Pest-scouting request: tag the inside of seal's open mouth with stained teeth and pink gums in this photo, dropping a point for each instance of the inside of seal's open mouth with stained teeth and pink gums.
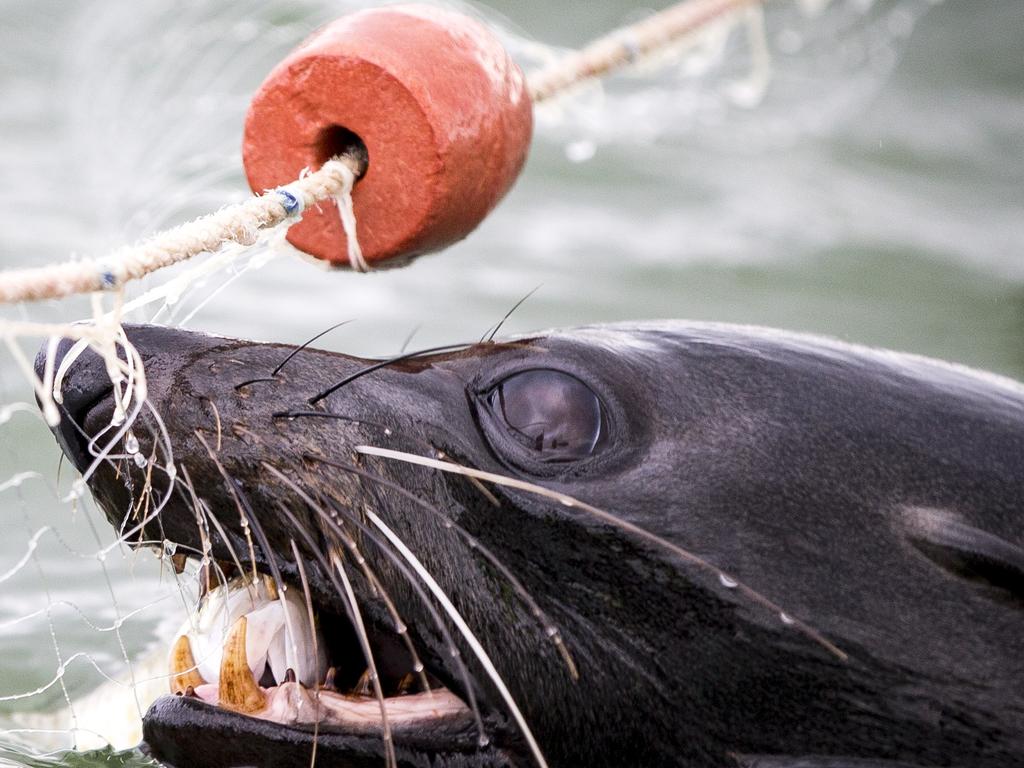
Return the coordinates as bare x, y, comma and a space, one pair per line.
252, 651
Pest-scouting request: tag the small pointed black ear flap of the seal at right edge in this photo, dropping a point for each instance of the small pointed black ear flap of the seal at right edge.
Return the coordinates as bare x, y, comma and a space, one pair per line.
966, 551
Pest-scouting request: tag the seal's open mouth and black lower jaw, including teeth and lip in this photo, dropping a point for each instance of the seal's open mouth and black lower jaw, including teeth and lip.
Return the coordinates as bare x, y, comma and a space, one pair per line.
259, 661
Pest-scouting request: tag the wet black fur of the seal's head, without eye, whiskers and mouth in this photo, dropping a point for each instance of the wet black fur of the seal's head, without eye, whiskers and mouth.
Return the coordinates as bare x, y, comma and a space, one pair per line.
802, 467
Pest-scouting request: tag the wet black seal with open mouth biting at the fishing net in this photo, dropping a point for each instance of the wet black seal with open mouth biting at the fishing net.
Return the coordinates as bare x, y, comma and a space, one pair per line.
708, 546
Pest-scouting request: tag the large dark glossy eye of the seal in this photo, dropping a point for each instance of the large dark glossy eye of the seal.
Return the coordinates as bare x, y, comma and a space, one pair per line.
553, 414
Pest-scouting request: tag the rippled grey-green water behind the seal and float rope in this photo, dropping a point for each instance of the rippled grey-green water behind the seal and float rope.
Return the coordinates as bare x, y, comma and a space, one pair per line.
874, 195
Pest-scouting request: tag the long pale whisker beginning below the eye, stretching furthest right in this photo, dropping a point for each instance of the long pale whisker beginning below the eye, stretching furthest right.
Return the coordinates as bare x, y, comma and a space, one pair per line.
608, 518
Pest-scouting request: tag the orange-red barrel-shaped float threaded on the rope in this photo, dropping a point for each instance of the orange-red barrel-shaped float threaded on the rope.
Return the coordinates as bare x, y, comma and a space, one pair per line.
441, 108
